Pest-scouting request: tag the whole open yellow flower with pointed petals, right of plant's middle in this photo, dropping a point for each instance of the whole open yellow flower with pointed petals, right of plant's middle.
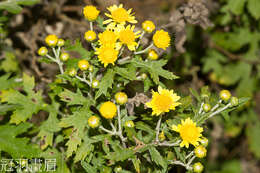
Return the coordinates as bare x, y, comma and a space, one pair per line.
163, 101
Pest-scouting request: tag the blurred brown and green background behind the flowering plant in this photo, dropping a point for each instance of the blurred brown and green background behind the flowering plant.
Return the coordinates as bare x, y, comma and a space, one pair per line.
215, 43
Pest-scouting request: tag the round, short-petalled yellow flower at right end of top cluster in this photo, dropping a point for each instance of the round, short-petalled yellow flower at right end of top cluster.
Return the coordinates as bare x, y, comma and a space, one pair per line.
161, 39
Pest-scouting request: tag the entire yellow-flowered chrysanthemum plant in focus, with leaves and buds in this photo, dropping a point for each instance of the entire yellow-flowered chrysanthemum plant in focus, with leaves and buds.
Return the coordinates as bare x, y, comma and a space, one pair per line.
91, 117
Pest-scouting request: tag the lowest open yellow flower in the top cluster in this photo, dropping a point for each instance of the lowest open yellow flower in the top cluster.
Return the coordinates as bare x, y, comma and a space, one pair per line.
107, 55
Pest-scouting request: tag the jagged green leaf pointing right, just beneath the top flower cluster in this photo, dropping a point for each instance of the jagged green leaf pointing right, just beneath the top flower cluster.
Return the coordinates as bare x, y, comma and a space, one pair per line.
155, 68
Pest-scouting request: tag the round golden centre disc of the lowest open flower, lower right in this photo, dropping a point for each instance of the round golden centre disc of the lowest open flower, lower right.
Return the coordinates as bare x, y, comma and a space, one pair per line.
189, 132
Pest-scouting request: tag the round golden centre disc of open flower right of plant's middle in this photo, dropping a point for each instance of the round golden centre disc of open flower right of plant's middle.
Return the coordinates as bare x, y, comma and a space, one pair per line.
163, 102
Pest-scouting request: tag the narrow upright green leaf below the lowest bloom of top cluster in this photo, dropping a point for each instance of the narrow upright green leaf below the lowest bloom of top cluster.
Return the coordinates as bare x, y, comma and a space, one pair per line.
105, 83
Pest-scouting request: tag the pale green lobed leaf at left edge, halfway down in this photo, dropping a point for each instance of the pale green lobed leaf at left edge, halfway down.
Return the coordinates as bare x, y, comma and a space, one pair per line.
28, 104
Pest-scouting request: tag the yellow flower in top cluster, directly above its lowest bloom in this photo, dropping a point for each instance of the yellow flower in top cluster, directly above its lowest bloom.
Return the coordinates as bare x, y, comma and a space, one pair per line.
107, 38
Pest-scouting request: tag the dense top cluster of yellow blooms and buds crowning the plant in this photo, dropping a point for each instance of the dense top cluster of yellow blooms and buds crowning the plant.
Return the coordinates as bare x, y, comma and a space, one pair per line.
120, 33
